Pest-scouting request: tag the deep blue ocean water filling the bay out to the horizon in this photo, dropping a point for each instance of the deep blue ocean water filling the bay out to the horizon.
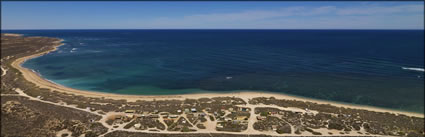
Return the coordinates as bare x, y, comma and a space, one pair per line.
352, 66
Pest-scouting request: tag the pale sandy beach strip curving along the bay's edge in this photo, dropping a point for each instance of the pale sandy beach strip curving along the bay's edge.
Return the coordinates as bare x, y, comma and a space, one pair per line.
245, 95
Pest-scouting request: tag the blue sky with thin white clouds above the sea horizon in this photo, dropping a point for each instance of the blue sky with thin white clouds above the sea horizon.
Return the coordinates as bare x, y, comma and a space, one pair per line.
212, 15
